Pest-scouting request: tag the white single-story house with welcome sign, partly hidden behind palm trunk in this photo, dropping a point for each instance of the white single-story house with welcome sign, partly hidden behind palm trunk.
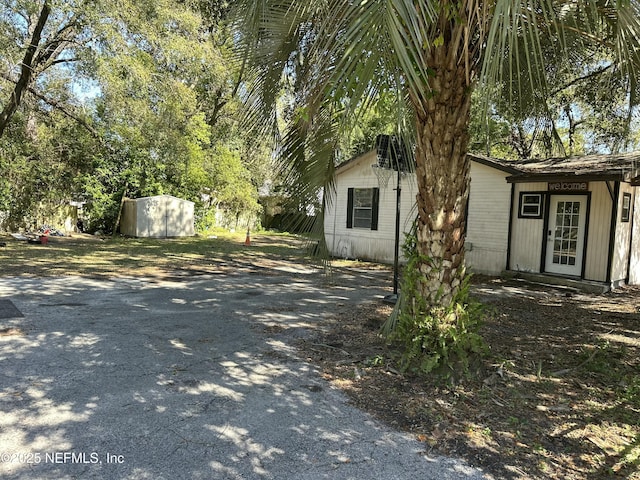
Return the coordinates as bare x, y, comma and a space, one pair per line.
575, 217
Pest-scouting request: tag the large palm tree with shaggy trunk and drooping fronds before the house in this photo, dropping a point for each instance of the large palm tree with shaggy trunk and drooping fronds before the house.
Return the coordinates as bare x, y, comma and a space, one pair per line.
533, 65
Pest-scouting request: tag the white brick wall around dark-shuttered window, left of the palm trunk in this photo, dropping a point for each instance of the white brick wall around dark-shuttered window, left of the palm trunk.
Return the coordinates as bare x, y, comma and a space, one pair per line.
362, 243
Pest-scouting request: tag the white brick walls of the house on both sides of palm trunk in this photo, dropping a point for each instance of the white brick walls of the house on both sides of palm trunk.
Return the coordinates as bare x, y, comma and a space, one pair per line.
487, 226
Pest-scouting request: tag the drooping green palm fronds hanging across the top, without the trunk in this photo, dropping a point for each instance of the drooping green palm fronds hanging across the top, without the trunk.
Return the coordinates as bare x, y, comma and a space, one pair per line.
316, 67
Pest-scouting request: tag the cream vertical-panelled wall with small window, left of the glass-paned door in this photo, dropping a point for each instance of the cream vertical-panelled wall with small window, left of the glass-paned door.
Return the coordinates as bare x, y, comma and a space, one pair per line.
526, 233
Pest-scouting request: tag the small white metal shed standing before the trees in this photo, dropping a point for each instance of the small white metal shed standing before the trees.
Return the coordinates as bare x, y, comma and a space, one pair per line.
157, 217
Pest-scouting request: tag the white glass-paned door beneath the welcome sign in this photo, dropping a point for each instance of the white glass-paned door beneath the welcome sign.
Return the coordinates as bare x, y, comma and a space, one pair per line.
565, 235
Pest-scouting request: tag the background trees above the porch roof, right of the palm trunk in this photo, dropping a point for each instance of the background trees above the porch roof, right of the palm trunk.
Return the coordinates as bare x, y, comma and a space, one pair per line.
589, 109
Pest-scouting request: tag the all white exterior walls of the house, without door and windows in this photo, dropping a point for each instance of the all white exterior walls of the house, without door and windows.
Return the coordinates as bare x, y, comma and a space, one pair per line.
487, 224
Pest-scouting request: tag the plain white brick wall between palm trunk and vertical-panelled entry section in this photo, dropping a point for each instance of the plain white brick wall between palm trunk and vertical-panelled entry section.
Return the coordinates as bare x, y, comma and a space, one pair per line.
487, 220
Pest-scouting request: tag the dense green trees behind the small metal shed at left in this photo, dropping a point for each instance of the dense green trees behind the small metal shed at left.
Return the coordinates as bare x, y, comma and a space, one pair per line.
132, 98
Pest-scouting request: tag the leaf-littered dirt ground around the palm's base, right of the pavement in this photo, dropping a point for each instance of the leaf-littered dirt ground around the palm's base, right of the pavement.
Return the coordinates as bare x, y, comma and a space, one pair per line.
559, 397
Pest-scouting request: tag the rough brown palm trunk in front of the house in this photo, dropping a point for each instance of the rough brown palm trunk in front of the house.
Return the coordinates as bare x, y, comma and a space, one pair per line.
443, 175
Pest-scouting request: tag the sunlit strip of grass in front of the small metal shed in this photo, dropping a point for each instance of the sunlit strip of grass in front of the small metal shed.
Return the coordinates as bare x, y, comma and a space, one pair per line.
114, 256
